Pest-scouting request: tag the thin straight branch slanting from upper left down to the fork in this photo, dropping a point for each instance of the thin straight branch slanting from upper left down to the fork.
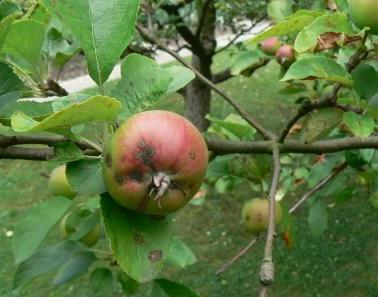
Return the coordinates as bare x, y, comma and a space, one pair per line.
264, 132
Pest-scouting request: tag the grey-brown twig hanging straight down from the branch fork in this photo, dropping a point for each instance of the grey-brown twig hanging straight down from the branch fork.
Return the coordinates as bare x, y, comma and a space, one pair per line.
267, 266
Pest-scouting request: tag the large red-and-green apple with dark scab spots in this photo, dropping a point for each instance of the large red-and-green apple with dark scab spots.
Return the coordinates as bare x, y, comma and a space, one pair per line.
155, 162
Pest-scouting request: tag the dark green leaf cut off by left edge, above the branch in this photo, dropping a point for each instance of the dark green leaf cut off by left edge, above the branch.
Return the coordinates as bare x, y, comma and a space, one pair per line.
11, 86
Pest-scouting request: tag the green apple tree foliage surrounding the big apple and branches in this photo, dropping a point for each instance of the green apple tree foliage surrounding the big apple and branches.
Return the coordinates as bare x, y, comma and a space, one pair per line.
329, 51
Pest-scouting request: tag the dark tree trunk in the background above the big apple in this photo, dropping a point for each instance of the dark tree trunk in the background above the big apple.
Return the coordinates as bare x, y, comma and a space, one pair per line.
198, 94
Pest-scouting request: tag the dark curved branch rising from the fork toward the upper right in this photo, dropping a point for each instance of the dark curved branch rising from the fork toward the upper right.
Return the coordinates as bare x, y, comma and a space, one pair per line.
329, 99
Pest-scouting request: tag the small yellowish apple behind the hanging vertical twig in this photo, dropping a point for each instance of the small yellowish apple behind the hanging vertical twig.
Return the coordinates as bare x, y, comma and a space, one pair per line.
255, 215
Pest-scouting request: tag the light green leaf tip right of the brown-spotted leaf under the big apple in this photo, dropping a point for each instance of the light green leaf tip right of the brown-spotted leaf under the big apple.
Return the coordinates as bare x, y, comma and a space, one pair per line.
180, 254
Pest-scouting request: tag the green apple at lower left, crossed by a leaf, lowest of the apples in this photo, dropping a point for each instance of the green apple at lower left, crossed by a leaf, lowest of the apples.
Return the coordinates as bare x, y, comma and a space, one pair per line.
70, 222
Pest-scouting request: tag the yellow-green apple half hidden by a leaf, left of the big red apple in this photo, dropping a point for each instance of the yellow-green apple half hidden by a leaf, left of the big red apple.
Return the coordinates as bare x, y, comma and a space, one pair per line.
58, 183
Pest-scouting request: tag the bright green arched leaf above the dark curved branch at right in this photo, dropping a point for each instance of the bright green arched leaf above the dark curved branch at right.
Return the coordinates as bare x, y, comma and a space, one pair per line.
318, 67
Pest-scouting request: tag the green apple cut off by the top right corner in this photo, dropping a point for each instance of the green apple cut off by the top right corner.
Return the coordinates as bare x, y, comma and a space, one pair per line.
364, 13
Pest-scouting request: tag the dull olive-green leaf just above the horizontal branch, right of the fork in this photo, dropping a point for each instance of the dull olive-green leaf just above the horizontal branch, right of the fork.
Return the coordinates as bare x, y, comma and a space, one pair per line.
320, 123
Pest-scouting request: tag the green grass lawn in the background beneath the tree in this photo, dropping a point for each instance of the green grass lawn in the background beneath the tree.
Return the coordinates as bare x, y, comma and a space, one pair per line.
341, 263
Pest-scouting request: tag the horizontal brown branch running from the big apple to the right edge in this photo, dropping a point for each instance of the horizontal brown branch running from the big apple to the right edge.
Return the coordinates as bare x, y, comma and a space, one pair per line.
292, 146
